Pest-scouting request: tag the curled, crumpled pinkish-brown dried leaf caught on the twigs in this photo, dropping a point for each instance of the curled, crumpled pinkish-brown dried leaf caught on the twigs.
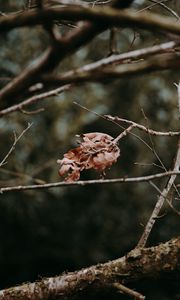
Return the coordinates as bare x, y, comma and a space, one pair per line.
96, 151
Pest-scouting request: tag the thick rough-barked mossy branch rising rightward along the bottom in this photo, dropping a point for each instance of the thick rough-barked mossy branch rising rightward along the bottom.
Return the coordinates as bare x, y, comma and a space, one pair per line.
147, 263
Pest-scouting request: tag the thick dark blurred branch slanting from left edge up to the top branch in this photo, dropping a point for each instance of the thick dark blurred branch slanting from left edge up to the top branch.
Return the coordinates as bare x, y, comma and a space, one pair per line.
56, 53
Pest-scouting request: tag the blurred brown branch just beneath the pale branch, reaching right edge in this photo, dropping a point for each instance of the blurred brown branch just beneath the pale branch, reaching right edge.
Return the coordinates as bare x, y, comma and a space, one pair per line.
157, 63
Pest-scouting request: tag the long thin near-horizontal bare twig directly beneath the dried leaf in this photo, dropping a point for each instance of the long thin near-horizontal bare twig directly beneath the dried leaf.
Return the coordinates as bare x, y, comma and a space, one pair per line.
89, 182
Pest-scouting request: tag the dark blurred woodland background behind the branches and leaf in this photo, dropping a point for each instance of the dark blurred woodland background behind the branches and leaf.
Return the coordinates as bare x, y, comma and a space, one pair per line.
44, 233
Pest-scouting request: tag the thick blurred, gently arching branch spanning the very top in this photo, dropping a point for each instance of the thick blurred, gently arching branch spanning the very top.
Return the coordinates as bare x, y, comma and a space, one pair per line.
108, 16
